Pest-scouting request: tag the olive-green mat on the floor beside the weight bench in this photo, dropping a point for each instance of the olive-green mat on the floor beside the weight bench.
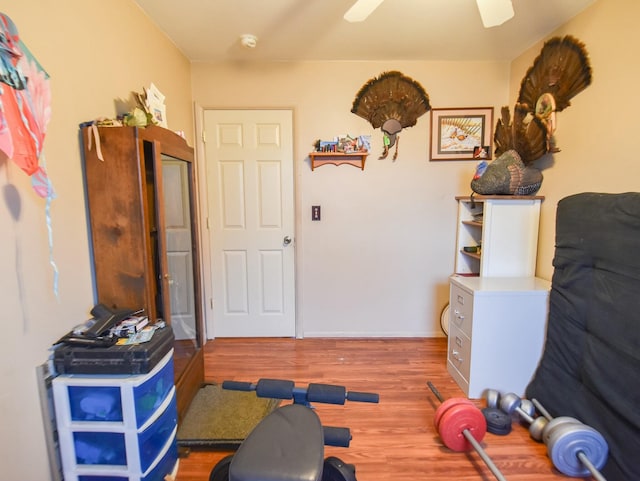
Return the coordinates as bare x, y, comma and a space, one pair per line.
221, 419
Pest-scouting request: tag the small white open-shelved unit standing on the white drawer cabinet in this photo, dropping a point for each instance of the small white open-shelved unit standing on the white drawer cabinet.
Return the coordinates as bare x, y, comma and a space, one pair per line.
506, 230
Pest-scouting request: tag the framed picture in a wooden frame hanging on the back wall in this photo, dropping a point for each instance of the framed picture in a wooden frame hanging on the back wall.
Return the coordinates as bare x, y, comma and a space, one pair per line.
461, 133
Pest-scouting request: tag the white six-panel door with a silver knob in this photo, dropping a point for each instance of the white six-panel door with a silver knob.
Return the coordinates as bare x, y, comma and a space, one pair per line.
249, 156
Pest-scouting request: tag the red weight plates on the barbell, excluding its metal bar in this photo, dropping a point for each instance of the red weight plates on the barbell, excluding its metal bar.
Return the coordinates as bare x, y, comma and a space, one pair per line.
458, 418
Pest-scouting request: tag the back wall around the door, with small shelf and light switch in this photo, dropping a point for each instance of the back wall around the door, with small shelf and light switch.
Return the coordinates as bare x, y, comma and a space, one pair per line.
378, 262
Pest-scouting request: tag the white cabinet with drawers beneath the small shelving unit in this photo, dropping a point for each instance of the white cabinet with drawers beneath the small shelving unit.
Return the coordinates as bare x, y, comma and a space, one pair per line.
496, 332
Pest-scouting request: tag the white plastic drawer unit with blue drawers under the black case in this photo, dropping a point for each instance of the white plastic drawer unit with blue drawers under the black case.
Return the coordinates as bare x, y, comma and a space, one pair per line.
117, 427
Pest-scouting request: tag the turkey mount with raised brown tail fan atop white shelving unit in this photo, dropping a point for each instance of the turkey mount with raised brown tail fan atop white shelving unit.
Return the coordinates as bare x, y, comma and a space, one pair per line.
560, 72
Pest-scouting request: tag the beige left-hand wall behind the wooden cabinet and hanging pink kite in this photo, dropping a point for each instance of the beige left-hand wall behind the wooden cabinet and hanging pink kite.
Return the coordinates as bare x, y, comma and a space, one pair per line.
96, 53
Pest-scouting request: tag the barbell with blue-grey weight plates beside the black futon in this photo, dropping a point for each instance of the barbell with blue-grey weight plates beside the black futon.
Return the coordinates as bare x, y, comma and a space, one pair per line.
574, 448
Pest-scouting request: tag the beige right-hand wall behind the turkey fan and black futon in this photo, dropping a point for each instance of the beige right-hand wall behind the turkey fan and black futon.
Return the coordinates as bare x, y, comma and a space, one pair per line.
597, 133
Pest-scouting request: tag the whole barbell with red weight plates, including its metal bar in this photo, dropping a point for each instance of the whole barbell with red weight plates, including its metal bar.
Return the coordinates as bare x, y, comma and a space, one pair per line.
462, 426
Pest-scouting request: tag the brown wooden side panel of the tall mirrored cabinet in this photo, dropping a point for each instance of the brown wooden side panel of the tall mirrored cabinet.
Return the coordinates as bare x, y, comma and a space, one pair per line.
119, 225
